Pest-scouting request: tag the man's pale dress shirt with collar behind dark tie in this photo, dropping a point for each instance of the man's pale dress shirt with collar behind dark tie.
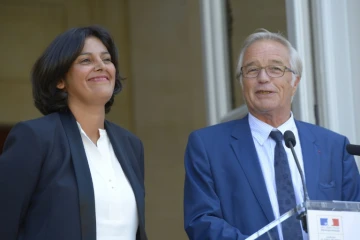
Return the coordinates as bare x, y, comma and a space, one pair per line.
265, 147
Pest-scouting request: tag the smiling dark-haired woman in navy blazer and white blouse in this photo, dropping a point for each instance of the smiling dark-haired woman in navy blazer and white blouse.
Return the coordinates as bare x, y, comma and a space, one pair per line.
71, 174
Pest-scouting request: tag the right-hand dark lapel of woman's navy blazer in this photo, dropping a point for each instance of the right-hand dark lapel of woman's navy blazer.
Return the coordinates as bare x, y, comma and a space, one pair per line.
121, 149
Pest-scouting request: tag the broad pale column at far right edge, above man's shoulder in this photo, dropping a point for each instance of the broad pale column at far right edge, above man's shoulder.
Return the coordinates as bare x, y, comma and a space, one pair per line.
334, 69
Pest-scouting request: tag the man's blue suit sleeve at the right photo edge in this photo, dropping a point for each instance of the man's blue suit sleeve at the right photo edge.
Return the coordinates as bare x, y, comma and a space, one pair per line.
351, 177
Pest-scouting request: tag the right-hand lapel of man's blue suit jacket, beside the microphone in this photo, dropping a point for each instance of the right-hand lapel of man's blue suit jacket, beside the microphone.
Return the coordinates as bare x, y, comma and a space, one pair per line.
311, 158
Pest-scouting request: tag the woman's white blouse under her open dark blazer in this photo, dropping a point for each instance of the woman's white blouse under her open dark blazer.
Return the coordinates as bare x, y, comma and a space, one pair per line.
115, 204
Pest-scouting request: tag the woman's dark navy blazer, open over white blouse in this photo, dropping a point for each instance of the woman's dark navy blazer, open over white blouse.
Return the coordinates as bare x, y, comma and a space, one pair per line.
46, 190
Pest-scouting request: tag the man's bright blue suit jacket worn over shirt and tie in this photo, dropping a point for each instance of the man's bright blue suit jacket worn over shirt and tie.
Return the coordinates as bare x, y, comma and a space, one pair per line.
225, 195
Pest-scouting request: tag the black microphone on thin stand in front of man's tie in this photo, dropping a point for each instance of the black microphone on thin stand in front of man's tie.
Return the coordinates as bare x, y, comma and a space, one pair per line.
290, 142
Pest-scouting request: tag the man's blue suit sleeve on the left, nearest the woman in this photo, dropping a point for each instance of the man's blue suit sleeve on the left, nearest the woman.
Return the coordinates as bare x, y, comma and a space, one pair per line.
202, 208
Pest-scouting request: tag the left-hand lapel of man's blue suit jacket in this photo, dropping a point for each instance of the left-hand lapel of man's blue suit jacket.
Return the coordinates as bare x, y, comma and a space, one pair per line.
246, 154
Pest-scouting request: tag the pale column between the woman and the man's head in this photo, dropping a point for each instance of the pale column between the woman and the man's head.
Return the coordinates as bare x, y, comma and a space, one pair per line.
216, 60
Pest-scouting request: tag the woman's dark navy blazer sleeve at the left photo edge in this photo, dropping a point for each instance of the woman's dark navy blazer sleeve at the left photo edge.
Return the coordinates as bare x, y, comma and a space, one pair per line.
20, 165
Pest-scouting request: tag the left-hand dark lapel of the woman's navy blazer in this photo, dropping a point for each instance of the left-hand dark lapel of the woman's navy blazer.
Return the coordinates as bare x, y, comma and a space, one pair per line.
83, 177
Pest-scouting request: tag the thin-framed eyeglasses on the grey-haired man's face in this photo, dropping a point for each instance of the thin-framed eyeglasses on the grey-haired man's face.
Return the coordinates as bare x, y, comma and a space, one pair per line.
271, 70
